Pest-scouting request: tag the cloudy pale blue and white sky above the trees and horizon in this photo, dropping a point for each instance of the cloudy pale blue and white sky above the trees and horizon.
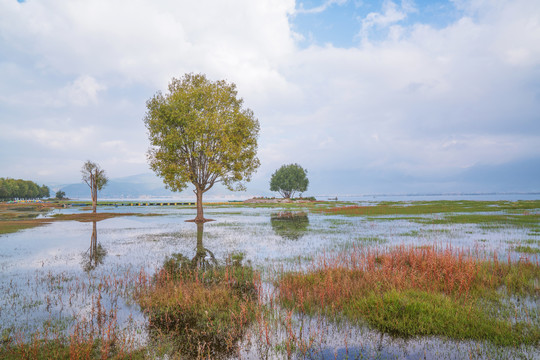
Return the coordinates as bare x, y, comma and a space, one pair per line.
370, 96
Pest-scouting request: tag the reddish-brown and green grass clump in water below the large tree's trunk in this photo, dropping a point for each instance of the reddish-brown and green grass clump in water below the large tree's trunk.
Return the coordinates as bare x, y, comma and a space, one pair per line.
199, 309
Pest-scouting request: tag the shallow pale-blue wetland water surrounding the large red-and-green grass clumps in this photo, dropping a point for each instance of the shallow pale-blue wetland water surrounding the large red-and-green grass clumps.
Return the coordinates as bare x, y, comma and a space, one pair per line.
54, 275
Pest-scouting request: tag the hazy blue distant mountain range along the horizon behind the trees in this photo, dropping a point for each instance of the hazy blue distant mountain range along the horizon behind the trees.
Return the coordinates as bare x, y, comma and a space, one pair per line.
519, 176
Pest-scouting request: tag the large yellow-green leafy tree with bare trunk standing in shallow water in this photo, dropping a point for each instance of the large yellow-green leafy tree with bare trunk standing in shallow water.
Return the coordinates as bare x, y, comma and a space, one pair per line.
201, 134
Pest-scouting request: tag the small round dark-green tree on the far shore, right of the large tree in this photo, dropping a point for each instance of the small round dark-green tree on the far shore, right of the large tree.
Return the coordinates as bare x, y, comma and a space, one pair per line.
289, 179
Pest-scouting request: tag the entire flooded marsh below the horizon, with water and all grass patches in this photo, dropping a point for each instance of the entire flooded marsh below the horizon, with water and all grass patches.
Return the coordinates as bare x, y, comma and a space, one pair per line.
399, 280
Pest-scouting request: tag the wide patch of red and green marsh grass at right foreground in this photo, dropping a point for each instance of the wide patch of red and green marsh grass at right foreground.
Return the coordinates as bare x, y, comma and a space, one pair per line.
408, 291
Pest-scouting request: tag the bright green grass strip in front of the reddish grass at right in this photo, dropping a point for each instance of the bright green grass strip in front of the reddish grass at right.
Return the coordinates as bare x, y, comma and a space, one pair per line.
415, 312
